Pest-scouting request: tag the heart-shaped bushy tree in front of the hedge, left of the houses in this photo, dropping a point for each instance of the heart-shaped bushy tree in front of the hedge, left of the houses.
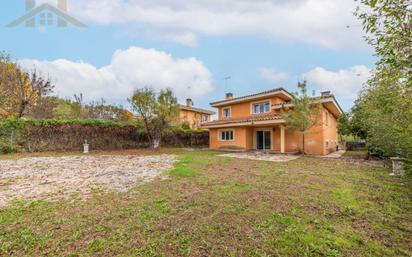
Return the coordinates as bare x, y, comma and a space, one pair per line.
157, 111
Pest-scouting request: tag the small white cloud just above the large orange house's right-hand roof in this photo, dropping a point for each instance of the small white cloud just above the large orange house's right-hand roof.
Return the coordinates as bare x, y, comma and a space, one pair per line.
345, 83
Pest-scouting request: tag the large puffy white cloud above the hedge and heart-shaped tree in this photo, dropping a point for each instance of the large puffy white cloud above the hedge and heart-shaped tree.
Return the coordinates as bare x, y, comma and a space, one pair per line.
129, 69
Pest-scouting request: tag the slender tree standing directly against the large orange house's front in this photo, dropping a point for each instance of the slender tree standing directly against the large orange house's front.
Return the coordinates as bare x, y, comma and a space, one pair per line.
304, 114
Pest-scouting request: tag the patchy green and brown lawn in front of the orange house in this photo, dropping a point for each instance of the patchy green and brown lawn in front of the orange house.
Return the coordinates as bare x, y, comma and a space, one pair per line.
219, 206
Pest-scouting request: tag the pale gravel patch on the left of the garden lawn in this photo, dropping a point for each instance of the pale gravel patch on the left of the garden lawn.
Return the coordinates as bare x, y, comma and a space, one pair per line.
59, 177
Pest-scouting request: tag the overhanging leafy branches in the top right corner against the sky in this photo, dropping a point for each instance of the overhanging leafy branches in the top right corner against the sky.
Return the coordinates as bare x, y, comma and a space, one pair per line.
389, 27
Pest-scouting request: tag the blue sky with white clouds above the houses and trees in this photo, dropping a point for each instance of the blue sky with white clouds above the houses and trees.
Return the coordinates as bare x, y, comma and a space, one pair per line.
191, 46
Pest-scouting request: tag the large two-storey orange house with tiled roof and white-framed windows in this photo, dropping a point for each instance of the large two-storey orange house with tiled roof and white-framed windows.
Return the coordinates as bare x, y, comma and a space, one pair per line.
254, 122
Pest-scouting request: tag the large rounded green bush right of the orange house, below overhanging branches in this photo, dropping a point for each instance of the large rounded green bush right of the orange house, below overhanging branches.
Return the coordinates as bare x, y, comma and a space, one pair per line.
383, 115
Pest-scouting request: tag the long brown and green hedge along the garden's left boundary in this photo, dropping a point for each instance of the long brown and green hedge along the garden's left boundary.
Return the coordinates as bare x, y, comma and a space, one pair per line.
27, 135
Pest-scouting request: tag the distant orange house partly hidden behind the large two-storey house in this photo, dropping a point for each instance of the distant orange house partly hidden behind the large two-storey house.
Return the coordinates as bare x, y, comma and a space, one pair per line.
193, 116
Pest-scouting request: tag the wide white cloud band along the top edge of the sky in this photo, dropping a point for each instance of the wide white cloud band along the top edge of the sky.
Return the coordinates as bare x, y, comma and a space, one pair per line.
318, 22
